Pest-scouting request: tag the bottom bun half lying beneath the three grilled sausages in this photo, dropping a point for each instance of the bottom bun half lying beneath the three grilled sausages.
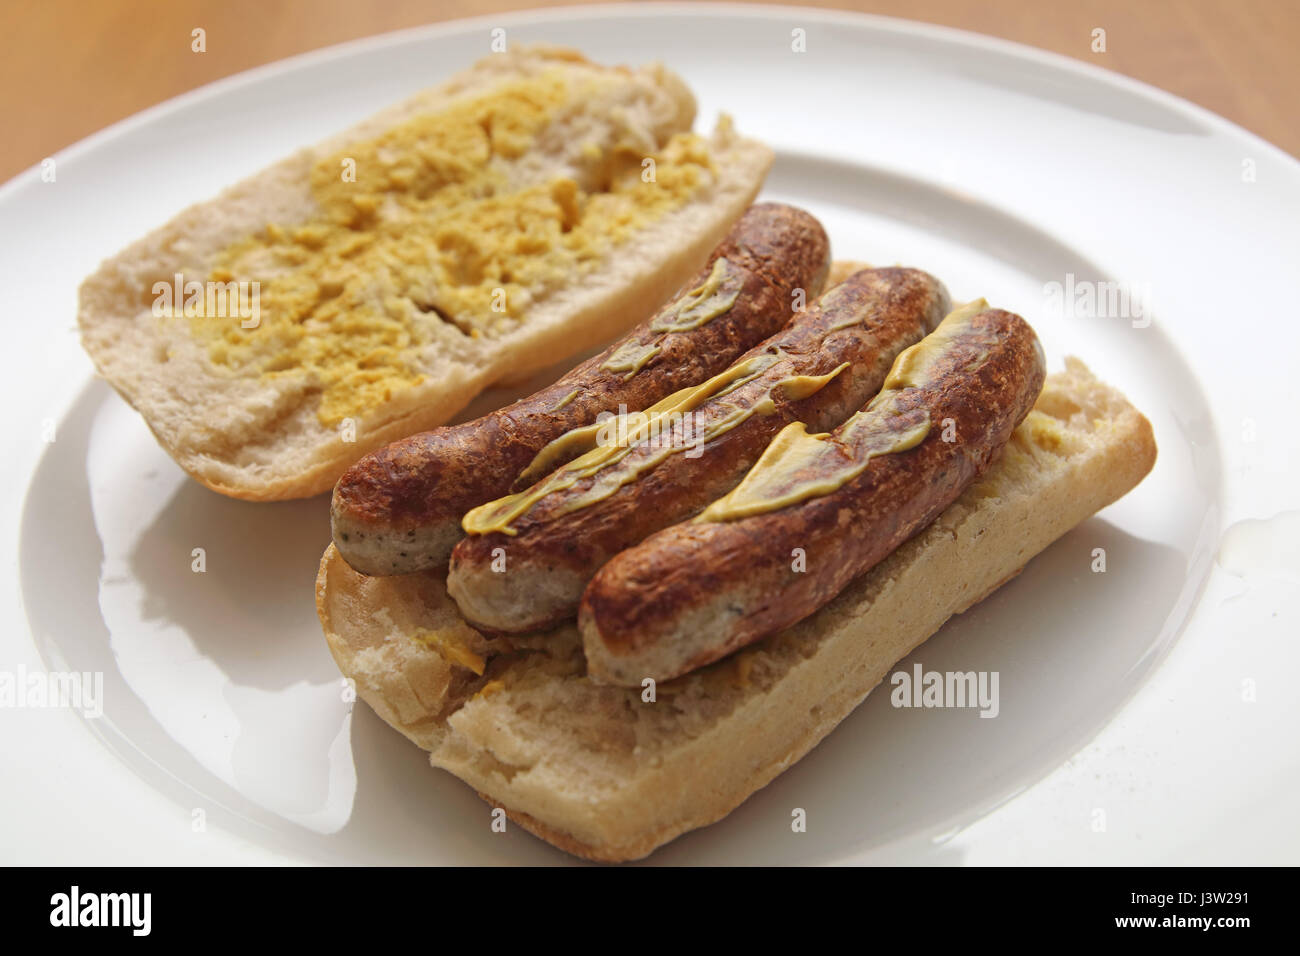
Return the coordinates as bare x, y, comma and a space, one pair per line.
599, 773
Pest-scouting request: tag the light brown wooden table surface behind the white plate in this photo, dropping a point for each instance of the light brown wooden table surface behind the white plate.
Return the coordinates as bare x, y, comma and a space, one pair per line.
72, 67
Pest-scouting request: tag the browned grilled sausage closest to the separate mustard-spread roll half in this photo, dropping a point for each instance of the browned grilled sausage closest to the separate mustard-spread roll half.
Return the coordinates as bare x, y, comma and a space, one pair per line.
400, 509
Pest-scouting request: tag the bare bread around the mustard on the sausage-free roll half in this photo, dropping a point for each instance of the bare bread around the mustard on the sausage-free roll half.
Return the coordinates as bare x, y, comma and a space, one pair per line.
267, 435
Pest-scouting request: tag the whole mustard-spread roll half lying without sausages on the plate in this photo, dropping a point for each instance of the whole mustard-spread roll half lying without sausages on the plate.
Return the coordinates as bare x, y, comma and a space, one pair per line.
371, 287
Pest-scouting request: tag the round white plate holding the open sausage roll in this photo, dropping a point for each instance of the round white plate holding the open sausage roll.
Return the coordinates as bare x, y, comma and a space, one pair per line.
1146, 712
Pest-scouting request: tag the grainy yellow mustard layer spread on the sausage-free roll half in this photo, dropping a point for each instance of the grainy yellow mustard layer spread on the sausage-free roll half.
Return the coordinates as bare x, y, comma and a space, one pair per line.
428, 235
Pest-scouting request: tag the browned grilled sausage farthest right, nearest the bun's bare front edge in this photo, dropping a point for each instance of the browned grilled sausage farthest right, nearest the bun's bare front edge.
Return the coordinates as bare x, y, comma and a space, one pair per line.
843, 501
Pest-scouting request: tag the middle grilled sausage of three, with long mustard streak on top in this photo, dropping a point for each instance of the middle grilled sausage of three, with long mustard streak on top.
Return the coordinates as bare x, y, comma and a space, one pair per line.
530, 556
